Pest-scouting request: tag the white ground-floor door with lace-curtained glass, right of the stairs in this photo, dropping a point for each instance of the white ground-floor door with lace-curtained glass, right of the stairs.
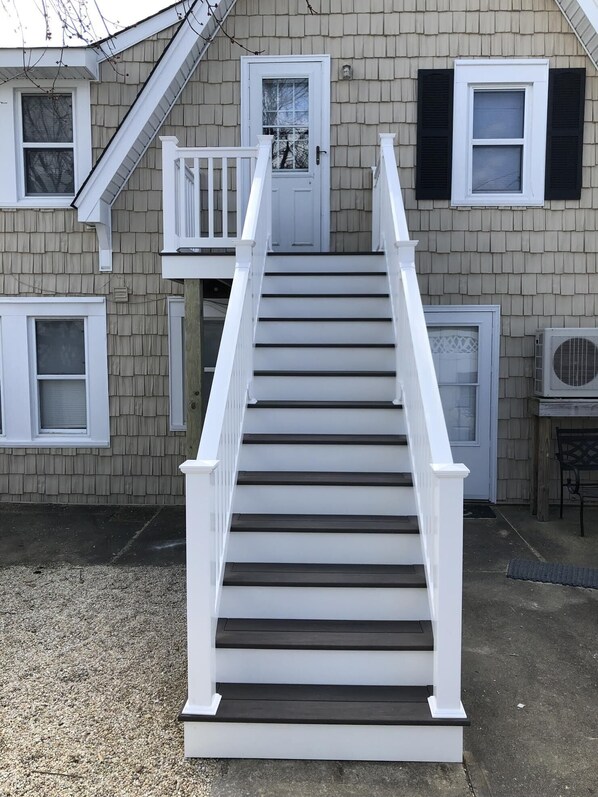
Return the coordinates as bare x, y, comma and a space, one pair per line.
464, 343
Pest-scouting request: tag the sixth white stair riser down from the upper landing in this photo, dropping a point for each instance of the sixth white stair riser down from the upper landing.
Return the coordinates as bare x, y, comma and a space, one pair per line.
325, 388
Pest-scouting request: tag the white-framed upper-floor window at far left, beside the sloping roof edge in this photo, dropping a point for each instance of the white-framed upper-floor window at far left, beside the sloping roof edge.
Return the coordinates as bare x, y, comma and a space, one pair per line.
45, 142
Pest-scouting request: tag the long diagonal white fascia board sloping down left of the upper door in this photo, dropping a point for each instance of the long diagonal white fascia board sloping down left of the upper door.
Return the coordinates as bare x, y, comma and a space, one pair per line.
145, 106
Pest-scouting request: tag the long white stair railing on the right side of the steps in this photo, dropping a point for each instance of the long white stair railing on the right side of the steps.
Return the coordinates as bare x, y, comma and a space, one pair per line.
437, 480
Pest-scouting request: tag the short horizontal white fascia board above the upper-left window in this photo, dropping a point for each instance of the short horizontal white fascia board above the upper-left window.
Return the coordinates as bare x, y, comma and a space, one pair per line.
51, 59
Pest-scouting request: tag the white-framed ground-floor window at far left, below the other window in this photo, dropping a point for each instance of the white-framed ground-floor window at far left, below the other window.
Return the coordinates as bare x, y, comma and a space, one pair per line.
53, 372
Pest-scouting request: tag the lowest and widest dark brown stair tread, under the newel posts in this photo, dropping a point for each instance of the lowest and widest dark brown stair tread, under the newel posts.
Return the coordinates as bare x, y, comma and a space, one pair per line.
323, 705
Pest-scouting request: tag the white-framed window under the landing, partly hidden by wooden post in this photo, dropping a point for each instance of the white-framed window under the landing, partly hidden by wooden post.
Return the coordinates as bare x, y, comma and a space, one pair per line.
214, 313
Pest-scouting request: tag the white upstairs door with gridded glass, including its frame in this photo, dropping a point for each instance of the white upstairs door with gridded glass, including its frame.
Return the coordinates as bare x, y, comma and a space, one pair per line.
289, 99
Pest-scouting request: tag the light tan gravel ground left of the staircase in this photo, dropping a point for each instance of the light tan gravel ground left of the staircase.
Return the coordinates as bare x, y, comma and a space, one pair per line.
92, 675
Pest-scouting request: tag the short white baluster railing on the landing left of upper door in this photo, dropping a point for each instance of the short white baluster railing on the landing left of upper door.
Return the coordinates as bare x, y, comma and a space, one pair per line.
204, 194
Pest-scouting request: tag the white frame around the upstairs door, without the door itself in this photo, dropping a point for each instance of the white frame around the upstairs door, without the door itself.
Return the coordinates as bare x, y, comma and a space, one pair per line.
324, 61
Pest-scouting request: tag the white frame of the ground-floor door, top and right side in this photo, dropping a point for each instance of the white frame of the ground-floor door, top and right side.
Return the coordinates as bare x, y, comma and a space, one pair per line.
459, 315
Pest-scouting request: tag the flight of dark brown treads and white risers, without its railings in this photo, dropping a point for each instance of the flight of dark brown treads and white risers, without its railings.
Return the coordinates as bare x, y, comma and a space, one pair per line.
324, 640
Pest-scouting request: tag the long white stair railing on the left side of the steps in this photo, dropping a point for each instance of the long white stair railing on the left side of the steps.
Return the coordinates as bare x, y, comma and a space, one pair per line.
211, 478
